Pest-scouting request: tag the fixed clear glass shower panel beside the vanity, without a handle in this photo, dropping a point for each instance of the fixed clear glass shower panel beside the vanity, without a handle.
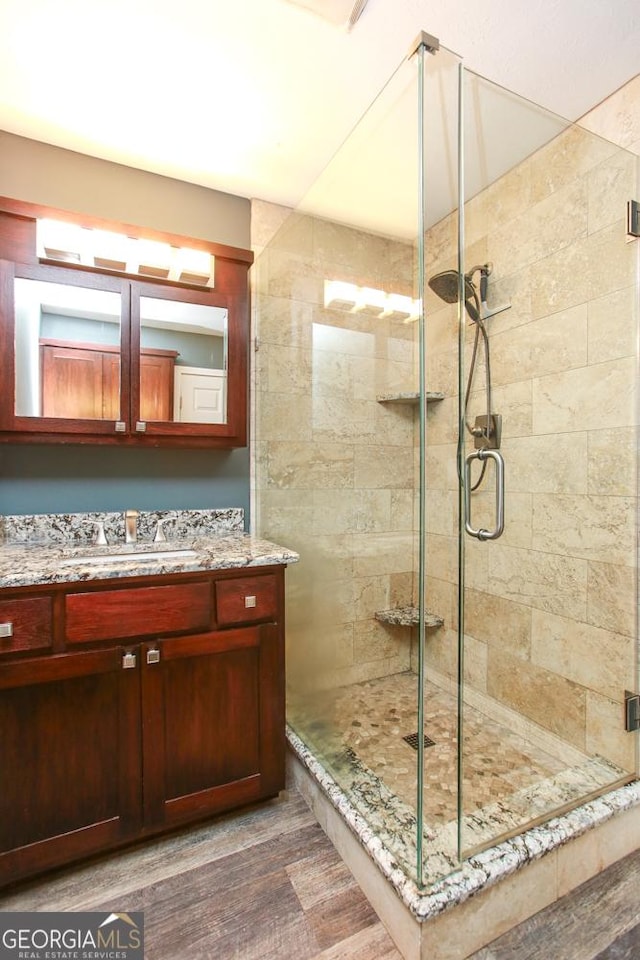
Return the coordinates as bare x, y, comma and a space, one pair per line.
337, 427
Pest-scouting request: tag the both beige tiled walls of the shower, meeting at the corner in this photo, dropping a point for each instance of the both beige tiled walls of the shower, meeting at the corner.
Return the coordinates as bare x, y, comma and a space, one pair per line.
551, 606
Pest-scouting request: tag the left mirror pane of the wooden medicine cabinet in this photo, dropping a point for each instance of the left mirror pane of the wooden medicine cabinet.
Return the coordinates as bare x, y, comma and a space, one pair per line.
67, 349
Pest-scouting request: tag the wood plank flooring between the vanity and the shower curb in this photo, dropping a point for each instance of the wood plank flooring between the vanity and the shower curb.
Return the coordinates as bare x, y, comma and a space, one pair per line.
262, 884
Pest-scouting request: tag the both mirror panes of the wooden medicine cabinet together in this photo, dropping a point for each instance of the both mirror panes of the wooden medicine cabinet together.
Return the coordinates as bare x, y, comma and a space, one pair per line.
68, 365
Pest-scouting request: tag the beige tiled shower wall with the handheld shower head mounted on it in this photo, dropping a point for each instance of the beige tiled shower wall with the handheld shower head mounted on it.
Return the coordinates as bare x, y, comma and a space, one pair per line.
550, 607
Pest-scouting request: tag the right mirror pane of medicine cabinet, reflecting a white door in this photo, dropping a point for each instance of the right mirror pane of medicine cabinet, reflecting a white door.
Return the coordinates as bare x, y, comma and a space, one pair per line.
183, 361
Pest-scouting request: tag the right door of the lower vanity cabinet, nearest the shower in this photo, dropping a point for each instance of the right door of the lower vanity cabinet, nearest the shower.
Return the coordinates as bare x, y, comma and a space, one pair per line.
213, 723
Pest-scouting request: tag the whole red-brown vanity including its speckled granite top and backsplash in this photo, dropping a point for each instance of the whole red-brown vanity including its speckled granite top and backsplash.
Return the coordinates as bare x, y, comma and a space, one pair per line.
141, 684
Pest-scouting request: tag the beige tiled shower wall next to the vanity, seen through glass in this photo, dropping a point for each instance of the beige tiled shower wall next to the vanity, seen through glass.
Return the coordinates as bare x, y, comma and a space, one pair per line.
334, 469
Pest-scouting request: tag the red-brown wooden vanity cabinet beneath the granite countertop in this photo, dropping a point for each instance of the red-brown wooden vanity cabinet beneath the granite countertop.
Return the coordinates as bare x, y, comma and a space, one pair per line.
147, 714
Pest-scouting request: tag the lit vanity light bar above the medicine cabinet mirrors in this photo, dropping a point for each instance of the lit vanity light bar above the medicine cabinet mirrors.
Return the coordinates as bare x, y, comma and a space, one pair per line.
74, 245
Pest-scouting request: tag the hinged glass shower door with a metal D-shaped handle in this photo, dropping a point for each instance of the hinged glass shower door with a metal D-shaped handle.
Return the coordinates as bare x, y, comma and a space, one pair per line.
549, 630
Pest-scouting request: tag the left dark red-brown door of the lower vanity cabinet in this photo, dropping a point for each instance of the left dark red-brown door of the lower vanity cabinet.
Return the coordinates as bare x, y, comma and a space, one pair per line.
69, 758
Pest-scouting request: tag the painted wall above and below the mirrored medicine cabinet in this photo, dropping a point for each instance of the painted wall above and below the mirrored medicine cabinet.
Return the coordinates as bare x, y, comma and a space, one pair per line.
60, 478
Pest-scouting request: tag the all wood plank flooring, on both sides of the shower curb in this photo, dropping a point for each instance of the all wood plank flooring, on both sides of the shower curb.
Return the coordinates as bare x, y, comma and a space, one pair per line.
267, 883
